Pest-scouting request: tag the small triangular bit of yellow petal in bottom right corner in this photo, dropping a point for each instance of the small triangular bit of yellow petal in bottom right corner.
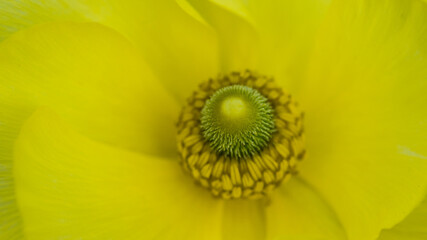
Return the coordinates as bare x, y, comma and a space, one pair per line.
413, 227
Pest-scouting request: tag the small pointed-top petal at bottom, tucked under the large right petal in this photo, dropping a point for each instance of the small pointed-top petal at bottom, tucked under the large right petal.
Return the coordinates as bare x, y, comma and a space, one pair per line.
297, 212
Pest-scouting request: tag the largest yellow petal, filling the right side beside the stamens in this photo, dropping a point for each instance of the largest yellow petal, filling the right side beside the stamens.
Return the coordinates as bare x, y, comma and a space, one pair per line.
365, 113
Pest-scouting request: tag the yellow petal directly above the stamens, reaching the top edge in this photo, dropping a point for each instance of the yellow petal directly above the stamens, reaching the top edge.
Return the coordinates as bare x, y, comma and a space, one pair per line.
273, 37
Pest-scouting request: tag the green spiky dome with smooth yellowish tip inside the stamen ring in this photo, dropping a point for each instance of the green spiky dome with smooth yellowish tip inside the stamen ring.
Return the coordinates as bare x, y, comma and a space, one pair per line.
237, 121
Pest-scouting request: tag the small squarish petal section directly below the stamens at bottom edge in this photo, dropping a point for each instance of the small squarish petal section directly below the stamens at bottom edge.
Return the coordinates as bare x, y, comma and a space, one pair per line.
243, 219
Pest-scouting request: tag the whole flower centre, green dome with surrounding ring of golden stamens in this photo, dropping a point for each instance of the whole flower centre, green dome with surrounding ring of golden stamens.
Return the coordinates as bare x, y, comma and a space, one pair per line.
240, 135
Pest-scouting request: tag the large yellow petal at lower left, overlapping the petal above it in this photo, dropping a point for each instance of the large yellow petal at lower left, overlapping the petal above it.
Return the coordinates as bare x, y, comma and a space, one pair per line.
69, 186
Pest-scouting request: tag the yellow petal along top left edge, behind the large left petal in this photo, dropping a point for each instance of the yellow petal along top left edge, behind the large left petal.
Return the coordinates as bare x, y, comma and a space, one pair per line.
181, 53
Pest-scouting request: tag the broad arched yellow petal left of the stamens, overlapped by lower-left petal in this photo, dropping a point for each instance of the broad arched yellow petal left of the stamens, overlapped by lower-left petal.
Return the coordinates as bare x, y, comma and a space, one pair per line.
94, 78
